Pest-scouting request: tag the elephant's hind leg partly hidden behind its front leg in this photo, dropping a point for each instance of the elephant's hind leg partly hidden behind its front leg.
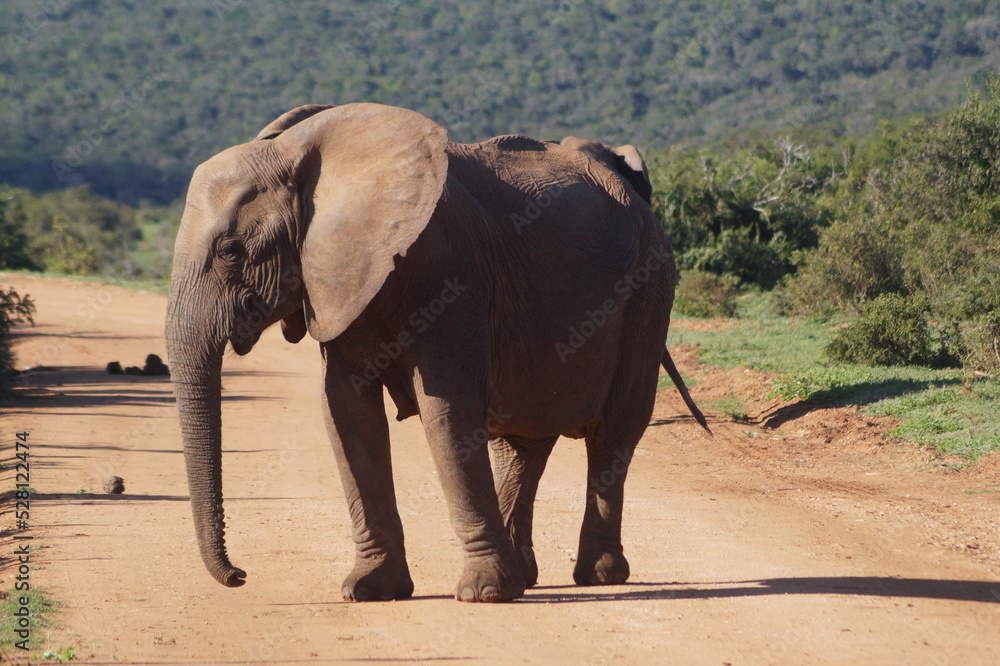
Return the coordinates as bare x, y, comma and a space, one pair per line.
519, 467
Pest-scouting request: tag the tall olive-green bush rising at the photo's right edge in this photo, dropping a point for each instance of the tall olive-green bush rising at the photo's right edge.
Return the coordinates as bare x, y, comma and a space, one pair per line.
923, 222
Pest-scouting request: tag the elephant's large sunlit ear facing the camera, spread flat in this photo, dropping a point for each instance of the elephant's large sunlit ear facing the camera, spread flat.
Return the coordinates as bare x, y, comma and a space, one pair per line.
370, 177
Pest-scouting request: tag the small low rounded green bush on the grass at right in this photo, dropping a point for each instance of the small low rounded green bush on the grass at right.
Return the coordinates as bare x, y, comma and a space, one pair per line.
892, 330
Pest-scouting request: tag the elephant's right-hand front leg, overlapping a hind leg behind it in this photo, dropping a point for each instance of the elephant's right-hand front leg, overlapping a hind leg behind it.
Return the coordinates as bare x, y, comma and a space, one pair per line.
458, 438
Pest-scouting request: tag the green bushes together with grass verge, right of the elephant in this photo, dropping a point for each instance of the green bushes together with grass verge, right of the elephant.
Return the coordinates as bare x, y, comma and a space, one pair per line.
889, 262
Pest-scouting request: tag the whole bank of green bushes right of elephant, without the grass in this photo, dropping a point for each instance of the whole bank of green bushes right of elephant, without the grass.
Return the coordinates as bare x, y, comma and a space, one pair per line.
903, 227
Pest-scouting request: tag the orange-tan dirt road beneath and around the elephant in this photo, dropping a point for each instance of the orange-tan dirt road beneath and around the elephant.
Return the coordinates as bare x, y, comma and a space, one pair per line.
818, 541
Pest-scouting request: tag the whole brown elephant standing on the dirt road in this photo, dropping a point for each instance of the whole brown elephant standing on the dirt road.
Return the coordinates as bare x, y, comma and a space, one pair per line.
506, 292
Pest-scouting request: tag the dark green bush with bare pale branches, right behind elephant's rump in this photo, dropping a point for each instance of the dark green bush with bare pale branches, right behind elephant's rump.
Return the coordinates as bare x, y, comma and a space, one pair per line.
745, 213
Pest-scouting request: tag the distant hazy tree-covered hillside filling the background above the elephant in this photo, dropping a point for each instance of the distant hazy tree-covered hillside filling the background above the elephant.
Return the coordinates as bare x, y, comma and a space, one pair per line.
127, 97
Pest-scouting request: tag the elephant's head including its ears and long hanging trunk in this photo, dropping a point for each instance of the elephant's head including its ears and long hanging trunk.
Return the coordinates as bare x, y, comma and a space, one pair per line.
300, 226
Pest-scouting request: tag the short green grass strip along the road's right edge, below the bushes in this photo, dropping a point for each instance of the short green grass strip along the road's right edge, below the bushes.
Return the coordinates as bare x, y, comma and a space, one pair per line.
936, 407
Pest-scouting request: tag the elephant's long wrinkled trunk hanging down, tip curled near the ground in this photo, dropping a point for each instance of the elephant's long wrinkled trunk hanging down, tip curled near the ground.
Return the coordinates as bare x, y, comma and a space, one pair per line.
195, 352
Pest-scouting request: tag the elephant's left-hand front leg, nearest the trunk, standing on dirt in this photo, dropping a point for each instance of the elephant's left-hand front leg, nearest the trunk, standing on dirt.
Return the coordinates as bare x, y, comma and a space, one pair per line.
359, 432
